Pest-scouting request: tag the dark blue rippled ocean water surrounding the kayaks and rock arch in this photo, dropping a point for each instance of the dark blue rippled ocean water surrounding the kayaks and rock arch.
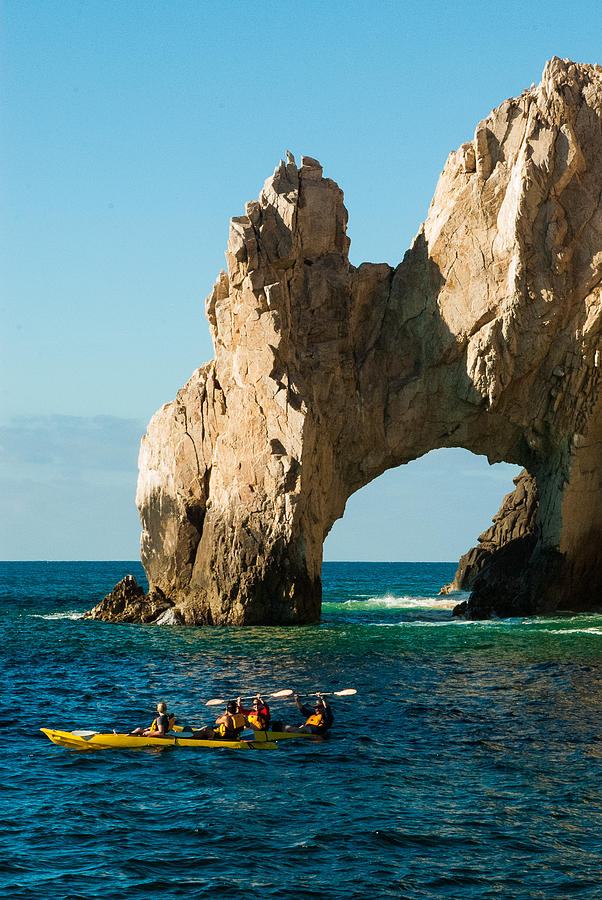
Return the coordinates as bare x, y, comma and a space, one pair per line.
468, 765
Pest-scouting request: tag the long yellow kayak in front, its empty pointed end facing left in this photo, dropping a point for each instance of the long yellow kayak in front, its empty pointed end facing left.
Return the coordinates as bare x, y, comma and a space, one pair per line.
93, 740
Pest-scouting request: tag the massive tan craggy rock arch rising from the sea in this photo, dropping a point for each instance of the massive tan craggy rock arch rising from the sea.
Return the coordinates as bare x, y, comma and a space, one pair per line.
486, 336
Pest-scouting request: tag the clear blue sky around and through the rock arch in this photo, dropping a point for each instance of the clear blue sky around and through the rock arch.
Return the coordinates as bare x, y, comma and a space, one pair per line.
130, 133
